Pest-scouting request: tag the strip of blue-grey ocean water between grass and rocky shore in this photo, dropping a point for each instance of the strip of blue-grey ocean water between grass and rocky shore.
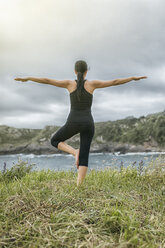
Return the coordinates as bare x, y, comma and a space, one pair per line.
97, 161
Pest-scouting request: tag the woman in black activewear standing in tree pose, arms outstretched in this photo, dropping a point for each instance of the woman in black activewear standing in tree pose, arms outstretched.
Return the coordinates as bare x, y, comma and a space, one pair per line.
80, 119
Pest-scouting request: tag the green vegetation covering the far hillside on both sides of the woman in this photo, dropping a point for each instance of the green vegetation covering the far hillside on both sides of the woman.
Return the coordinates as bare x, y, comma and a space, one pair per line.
135, 131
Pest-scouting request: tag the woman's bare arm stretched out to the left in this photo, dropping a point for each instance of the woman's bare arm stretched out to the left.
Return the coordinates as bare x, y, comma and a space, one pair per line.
58, 83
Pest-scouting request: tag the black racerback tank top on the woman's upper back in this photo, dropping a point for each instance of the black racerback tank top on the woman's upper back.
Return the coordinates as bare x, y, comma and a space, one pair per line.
85, 102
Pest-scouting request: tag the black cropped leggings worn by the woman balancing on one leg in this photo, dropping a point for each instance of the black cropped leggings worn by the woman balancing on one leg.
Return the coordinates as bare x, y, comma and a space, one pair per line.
70, 128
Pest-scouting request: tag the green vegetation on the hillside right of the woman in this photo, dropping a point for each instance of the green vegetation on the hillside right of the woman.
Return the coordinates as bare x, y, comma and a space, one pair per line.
134, 130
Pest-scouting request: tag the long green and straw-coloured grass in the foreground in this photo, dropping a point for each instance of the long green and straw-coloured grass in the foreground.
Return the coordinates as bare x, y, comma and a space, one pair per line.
112, 208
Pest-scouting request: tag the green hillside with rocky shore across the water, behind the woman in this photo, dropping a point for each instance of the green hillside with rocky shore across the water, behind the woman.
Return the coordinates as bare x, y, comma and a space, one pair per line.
126, 135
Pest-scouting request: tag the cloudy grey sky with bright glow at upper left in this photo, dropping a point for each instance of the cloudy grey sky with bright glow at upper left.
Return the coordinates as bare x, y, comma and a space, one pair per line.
116, 38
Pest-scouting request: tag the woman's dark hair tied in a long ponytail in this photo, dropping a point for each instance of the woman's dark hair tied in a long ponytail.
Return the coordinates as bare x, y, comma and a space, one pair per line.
80, 67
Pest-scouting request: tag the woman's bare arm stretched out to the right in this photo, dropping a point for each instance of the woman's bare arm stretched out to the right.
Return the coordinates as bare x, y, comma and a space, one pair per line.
114, 82
